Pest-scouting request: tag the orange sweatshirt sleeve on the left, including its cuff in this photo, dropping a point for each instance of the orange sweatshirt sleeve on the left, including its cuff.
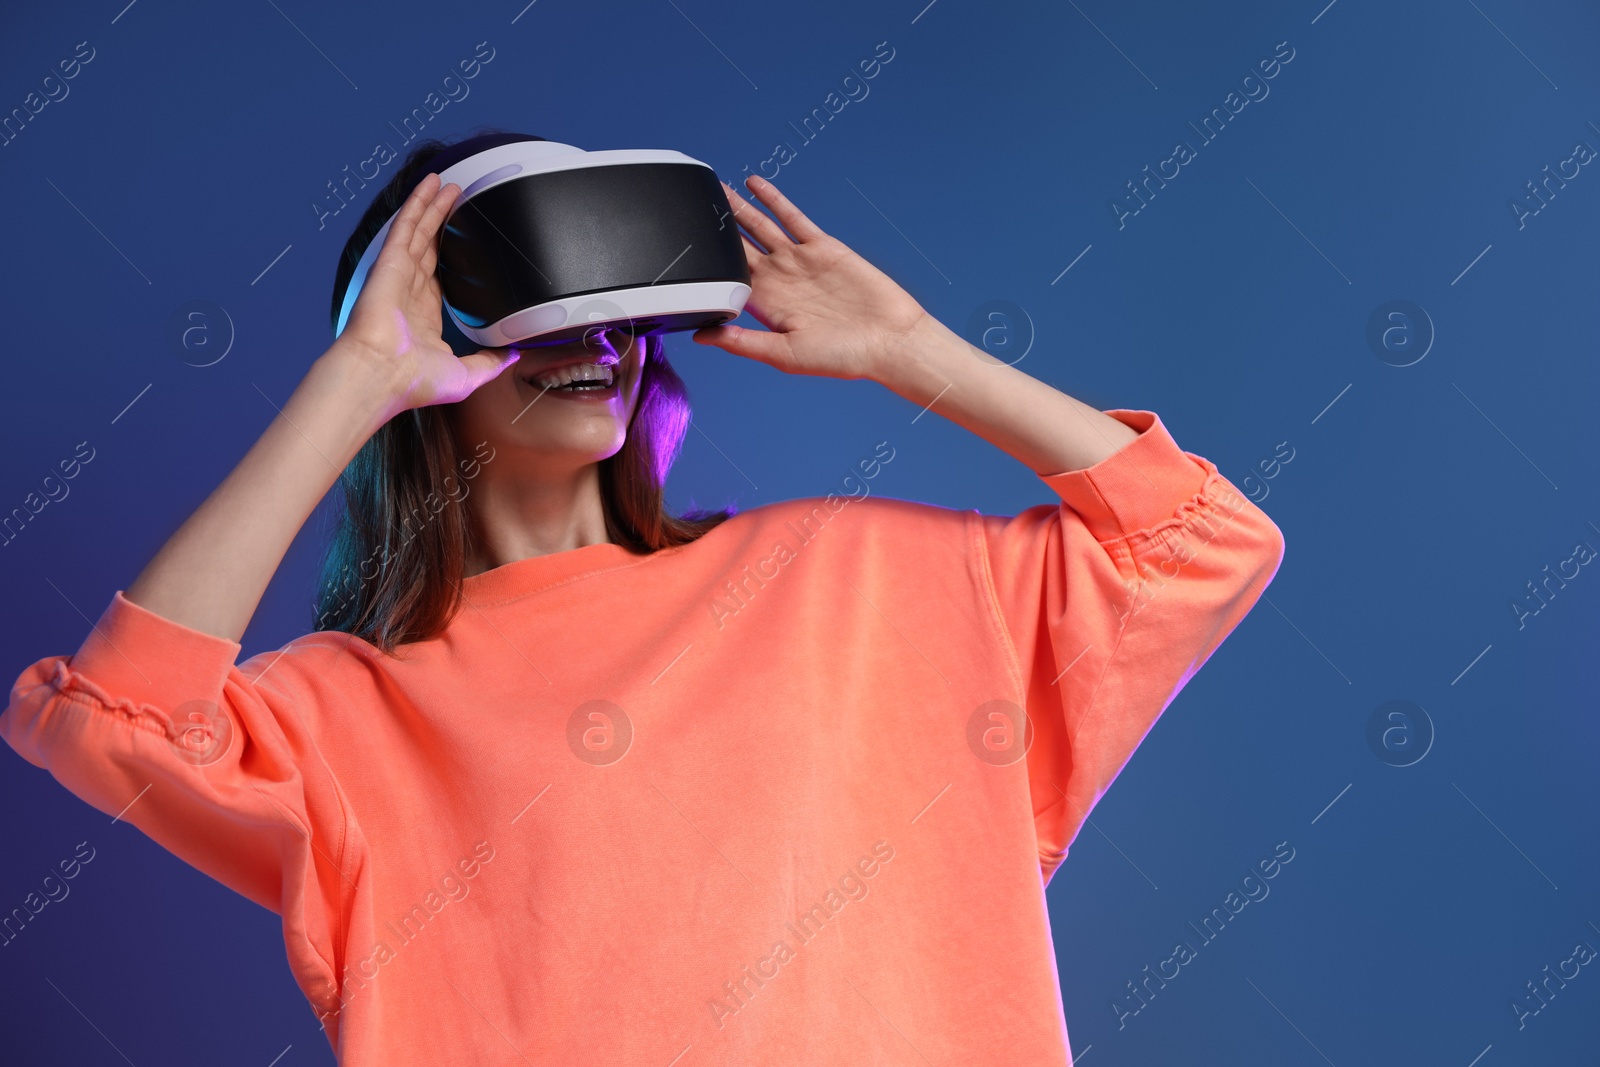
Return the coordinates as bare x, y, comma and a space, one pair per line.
153, 724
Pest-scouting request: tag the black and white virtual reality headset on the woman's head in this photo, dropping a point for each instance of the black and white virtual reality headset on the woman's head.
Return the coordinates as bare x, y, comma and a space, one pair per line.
548, 244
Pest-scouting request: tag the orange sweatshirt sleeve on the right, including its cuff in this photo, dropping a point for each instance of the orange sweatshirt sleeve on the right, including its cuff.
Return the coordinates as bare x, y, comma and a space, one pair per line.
1111, 602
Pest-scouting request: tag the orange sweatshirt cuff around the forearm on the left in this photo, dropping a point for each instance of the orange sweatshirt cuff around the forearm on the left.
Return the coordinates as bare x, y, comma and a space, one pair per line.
151, 660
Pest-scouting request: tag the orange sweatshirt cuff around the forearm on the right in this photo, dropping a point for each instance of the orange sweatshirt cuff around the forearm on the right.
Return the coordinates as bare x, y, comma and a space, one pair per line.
1135, 489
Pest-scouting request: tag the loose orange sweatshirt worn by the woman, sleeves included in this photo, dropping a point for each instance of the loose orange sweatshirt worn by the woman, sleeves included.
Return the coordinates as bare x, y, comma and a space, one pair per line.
764, 799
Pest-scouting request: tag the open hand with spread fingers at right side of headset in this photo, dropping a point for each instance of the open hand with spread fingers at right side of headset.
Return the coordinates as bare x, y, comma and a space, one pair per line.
826, 310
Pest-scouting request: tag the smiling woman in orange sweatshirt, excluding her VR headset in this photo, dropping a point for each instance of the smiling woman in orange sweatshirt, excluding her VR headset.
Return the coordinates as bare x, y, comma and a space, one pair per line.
566, 778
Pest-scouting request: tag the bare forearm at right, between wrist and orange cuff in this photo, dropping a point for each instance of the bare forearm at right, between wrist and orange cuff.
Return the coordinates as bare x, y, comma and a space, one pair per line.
1023, 417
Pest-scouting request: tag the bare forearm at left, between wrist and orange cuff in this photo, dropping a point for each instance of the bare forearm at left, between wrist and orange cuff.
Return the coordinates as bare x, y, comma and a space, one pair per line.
215, 569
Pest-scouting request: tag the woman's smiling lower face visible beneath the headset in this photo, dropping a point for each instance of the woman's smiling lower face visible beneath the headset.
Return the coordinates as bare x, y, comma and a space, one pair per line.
551, 428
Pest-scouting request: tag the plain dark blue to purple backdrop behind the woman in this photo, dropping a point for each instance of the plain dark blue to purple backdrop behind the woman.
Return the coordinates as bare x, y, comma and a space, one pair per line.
983, 162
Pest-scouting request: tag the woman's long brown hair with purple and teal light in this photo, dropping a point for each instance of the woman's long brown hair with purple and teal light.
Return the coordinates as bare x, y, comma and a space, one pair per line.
394, 564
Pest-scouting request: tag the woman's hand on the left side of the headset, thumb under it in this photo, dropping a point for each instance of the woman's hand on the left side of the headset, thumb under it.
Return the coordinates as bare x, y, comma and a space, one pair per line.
396, 321
